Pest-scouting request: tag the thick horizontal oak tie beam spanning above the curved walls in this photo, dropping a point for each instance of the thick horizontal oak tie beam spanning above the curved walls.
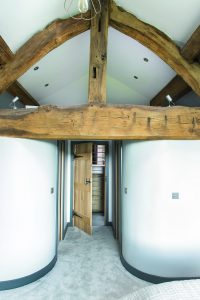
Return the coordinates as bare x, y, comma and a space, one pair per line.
99, 122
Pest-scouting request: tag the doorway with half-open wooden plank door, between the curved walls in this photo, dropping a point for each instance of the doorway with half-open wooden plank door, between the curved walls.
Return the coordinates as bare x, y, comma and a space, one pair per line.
89, 185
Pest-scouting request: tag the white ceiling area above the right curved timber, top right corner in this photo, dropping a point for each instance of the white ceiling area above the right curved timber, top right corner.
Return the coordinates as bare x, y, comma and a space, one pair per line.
177, 18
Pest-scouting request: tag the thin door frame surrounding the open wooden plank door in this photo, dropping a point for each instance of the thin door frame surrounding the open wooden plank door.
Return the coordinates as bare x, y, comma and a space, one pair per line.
106, 143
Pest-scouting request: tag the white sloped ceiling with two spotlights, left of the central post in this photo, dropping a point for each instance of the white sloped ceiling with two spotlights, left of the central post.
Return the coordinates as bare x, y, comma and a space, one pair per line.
61, 67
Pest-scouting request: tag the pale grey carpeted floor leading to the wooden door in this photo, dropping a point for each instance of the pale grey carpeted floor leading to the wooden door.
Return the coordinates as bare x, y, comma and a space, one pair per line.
87, 268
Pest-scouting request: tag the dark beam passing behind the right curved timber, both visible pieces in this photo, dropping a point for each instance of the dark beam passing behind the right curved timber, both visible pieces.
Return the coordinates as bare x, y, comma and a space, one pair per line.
177, 87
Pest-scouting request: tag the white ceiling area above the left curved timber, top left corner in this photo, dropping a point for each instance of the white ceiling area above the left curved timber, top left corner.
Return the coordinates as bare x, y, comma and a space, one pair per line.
21, 19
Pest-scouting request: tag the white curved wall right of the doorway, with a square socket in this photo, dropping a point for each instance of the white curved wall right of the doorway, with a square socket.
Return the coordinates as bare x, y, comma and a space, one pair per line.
160, 235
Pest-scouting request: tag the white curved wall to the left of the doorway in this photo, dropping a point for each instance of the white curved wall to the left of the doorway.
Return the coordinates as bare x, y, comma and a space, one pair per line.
28, 170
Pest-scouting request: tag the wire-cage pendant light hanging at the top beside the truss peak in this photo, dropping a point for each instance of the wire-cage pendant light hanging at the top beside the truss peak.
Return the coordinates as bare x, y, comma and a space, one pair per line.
83, 6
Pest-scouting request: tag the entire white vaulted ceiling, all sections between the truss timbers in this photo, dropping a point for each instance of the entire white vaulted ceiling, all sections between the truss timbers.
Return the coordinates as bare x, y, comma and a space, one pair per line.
65, 69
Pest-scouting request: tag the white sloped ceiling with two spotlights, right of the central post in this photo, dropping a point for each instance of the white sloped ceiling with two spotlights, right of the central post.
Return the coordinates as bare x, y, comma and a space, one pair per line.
126, 60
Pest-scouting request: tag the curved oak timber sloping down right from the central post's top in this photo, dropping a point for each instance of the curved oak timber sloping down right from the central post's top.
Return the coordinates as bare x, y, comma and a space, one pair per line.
158, 42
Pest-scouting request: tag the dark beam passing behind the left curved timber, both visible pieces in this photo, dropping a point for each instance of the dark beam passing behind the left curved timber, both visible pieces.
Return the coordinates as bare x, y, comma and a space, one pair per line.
15, 89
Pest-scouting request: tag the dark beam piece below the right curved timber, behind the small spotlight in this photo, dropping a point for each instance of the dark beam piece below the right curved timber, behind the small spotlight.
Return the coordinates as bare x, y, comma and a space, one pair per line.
176, 88
